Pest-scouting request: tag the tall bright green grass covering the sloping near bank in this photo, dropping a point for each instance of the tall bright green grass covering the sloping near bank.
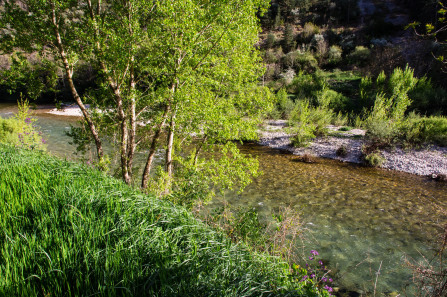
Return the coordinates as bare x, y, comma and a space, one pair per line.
69, 230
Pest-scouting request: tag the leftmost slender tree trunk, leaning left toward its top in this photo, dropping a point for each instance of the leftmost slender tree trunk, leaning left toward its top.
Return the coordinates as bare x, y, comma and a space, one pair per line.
74, 92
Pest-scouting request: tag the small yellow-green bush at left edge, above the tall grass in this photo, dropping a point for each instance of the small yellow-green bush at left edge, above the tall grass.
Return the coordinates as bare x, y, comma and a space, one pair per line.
20, 130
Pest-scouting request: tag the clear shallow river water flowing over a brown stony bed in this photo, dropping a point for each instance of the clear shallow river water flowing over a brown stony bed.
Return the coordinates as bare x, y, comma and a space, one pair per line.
358, 217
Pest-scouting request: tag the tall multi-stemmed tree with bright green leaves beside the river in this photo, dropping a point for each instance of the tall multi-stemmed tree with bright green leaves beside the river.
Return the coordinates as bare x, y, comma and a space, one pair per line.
182, 67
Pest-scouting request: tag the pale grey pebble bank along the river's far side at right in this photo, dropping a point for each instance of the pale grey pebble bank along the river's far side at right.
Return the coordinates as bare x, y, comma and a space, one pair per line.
425, 161
